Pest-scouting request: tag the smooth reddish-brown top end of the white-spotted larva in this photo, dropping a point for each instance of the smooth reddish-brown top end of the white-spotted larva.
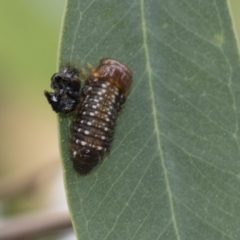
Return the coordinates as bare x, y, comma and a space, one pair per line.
116, 73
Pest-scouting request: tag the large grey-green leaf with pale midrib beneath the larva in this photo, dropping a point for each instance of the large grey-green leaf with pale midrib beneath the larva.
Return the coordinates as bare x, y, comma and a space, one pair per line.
174, 170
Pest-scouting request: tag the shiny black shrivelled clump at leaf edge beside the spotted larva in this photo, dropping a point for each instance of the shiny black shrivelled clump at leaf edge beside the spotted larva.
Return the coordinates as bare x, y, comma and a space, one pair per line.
66, 86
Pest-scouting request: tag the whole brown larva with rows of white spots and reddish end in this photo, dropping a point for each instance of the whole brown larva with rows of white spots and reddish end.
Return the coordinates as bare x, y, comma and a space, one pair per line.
93, 126
